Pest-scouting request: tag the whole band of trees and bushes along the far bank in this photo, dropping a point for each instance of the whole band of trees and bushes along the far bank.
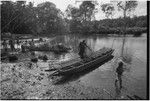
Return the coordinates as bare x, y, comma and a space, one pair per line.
24, 18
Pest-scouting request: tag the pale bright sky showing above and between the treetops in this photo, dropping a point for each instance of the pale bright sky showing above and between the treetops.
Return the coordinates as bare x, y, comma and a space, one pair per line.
140, 10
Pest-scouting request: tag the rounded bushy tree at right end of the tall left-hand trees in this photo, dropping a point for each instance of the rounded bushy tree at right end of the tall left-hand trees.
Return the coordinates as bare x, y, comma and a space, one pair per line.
50, 18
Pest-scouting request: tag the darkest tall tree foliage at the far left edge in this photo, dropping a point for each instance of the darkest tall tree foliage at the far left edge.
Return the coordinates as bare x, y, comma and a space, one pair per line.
15, 16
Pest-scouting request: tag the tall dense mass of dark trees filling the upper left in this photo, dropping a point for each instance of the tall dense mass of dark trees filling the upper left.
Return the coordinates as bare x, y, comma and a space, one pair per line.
20, 17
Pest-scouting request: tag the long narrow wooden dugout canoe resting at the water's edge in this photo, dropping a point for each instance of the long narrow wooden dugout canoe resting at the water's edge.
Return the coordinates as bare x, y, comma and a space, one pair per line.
96, 58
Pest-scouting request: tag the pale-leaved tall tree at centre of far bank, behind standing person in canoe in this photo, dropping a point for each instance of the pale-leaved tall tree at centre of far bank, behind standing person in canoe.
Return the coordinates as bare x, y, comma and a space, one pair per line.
81, 18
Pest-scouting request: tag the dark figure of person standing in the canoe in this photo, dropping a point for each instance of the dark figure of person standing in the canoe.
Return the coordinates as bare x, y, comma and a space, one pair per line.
82, 48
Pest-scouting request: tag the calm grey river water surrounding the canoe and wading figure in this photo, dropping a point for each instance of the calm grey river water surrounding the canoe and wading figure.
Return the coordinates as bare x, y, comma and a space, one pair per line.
134, 79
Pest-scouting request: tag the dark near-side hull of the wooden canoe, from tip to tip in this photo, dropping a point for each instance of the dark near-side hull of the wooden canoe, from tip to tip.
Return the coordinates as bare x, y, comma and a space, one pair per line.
86, 65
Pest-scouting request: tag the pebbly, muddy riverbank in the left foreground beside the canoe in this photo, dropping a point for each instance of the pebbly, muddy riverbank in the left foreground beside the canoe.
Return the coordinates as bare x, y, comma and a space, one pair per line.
21, 81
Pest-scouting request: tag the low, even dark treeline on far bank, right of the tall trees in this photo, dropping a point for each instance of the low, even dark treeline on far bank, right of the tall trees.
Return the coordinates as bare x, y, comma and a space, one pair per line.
136, 25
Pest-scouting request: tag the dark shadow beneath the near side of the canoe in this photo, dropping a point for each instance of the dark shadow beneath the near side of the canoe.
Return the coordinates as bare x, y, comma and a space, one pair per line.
68, 78
